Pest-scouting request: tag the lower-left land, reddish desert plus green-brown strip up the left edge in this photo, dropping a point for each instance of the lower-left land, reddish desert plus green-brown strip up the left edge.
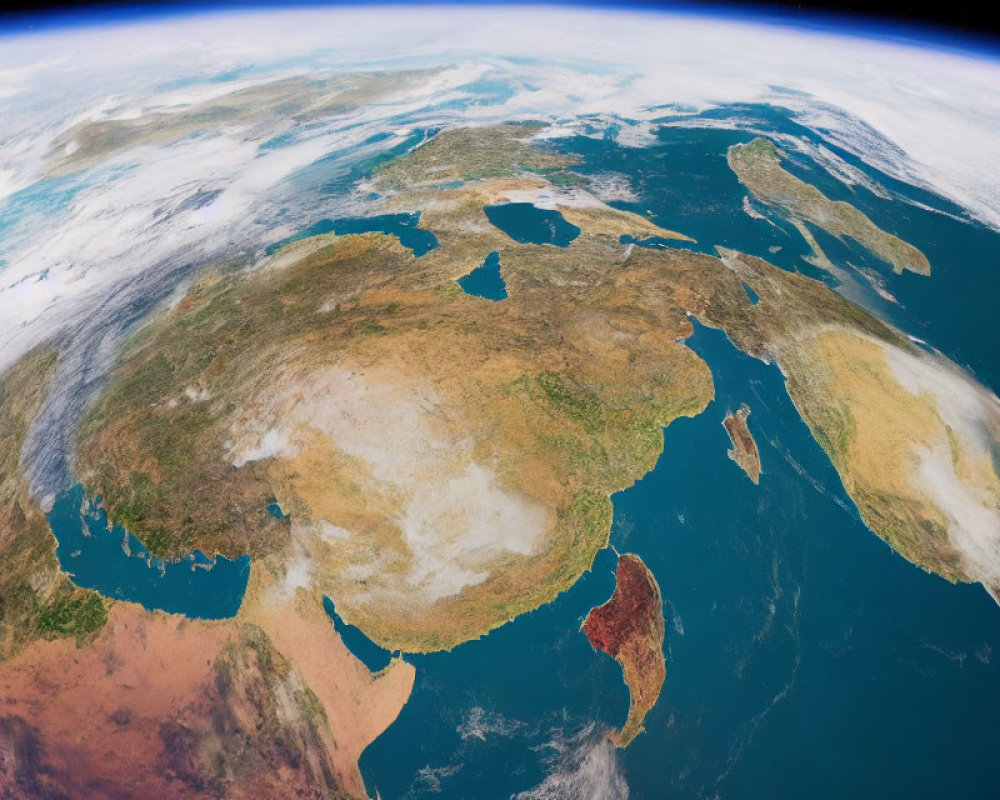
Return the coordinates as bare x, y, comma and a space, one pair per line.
103, 698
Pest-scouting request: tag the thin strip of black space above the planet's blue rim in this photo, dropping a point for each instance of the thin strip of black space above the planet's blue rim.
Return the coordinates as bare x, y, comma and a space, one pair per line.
978, 18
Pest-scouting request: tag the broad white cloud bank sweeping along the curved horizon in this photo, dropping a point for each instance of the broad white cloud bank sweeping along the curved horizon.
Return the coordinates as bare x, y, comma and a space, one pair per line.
127, 233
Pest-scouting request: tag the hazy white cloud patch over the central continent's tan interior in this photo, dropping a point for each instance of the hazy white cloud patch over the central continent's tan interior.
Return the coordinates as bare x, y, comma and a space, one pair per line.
455, 518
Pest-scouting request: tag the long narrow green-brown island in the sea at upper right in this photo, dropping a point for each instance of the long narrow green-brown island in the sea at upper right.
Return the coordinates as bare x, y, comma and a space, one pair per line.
758, 166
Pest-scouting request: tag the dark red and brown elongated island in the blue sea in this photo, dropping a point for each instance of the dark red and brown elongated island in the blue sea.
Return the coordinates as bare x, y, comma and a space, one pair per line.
630, 628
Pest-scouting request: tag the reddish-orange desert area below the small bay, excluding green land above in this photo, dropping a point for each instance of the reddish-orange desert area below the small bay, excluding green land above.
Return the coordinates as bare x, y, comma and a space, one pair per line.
160, 706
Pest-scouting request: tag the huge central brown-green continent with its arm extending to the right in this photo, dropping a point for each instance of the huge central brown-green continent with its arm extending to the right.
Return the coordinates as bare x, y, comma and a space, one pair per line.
529, 413
